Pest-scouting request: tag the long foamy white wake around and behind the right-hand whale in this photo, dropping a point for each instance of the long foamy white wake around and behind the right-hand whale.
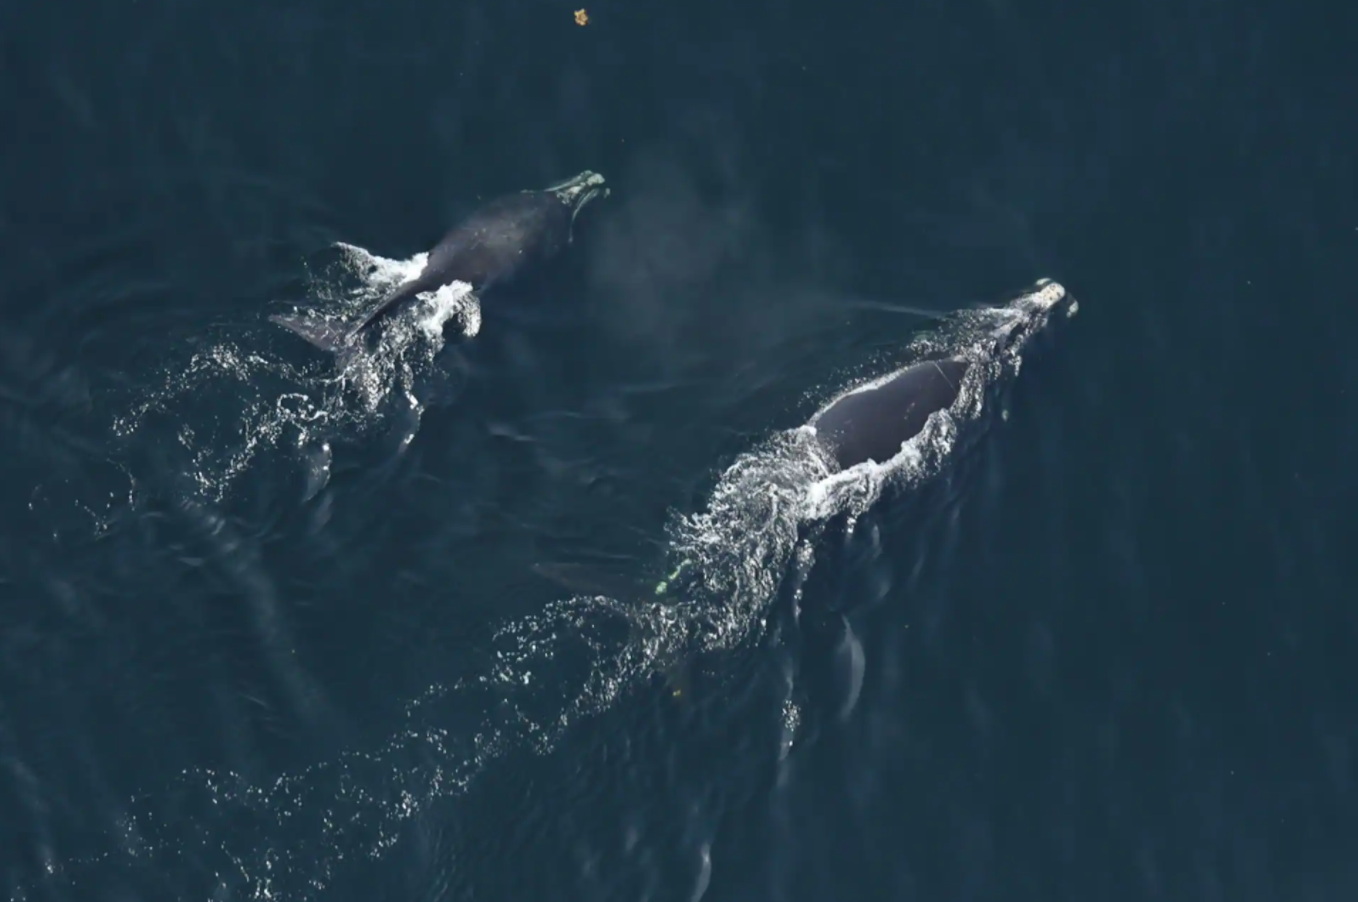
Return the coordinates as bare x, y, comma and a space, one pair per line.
760, 525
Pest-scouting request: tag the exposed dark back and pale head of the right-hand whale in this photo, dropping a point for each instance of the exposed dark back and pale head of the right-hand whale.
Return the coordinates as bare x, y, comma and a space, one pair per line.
874, 422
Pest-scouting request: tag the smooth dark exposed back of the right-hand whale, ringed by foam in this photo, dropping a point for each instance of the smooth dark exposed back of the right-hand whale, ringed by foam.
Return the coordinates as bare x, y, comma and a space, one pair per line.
871, 425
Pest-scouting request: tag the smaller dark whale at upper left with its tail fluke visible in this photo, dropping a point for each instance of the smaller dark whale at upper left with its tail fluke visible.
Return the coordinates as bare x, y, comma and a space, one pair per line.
500, 241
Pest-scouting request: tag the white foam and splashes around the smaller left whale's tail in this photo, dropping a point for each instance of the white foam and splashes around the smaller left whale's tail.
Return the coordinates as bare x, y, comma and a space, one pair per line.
232, 404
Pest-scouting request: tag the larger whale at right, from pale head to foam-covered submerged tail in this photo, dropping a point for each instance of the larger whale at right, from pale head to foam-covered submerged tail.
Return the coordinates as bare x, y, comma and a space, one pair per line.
723, 567
